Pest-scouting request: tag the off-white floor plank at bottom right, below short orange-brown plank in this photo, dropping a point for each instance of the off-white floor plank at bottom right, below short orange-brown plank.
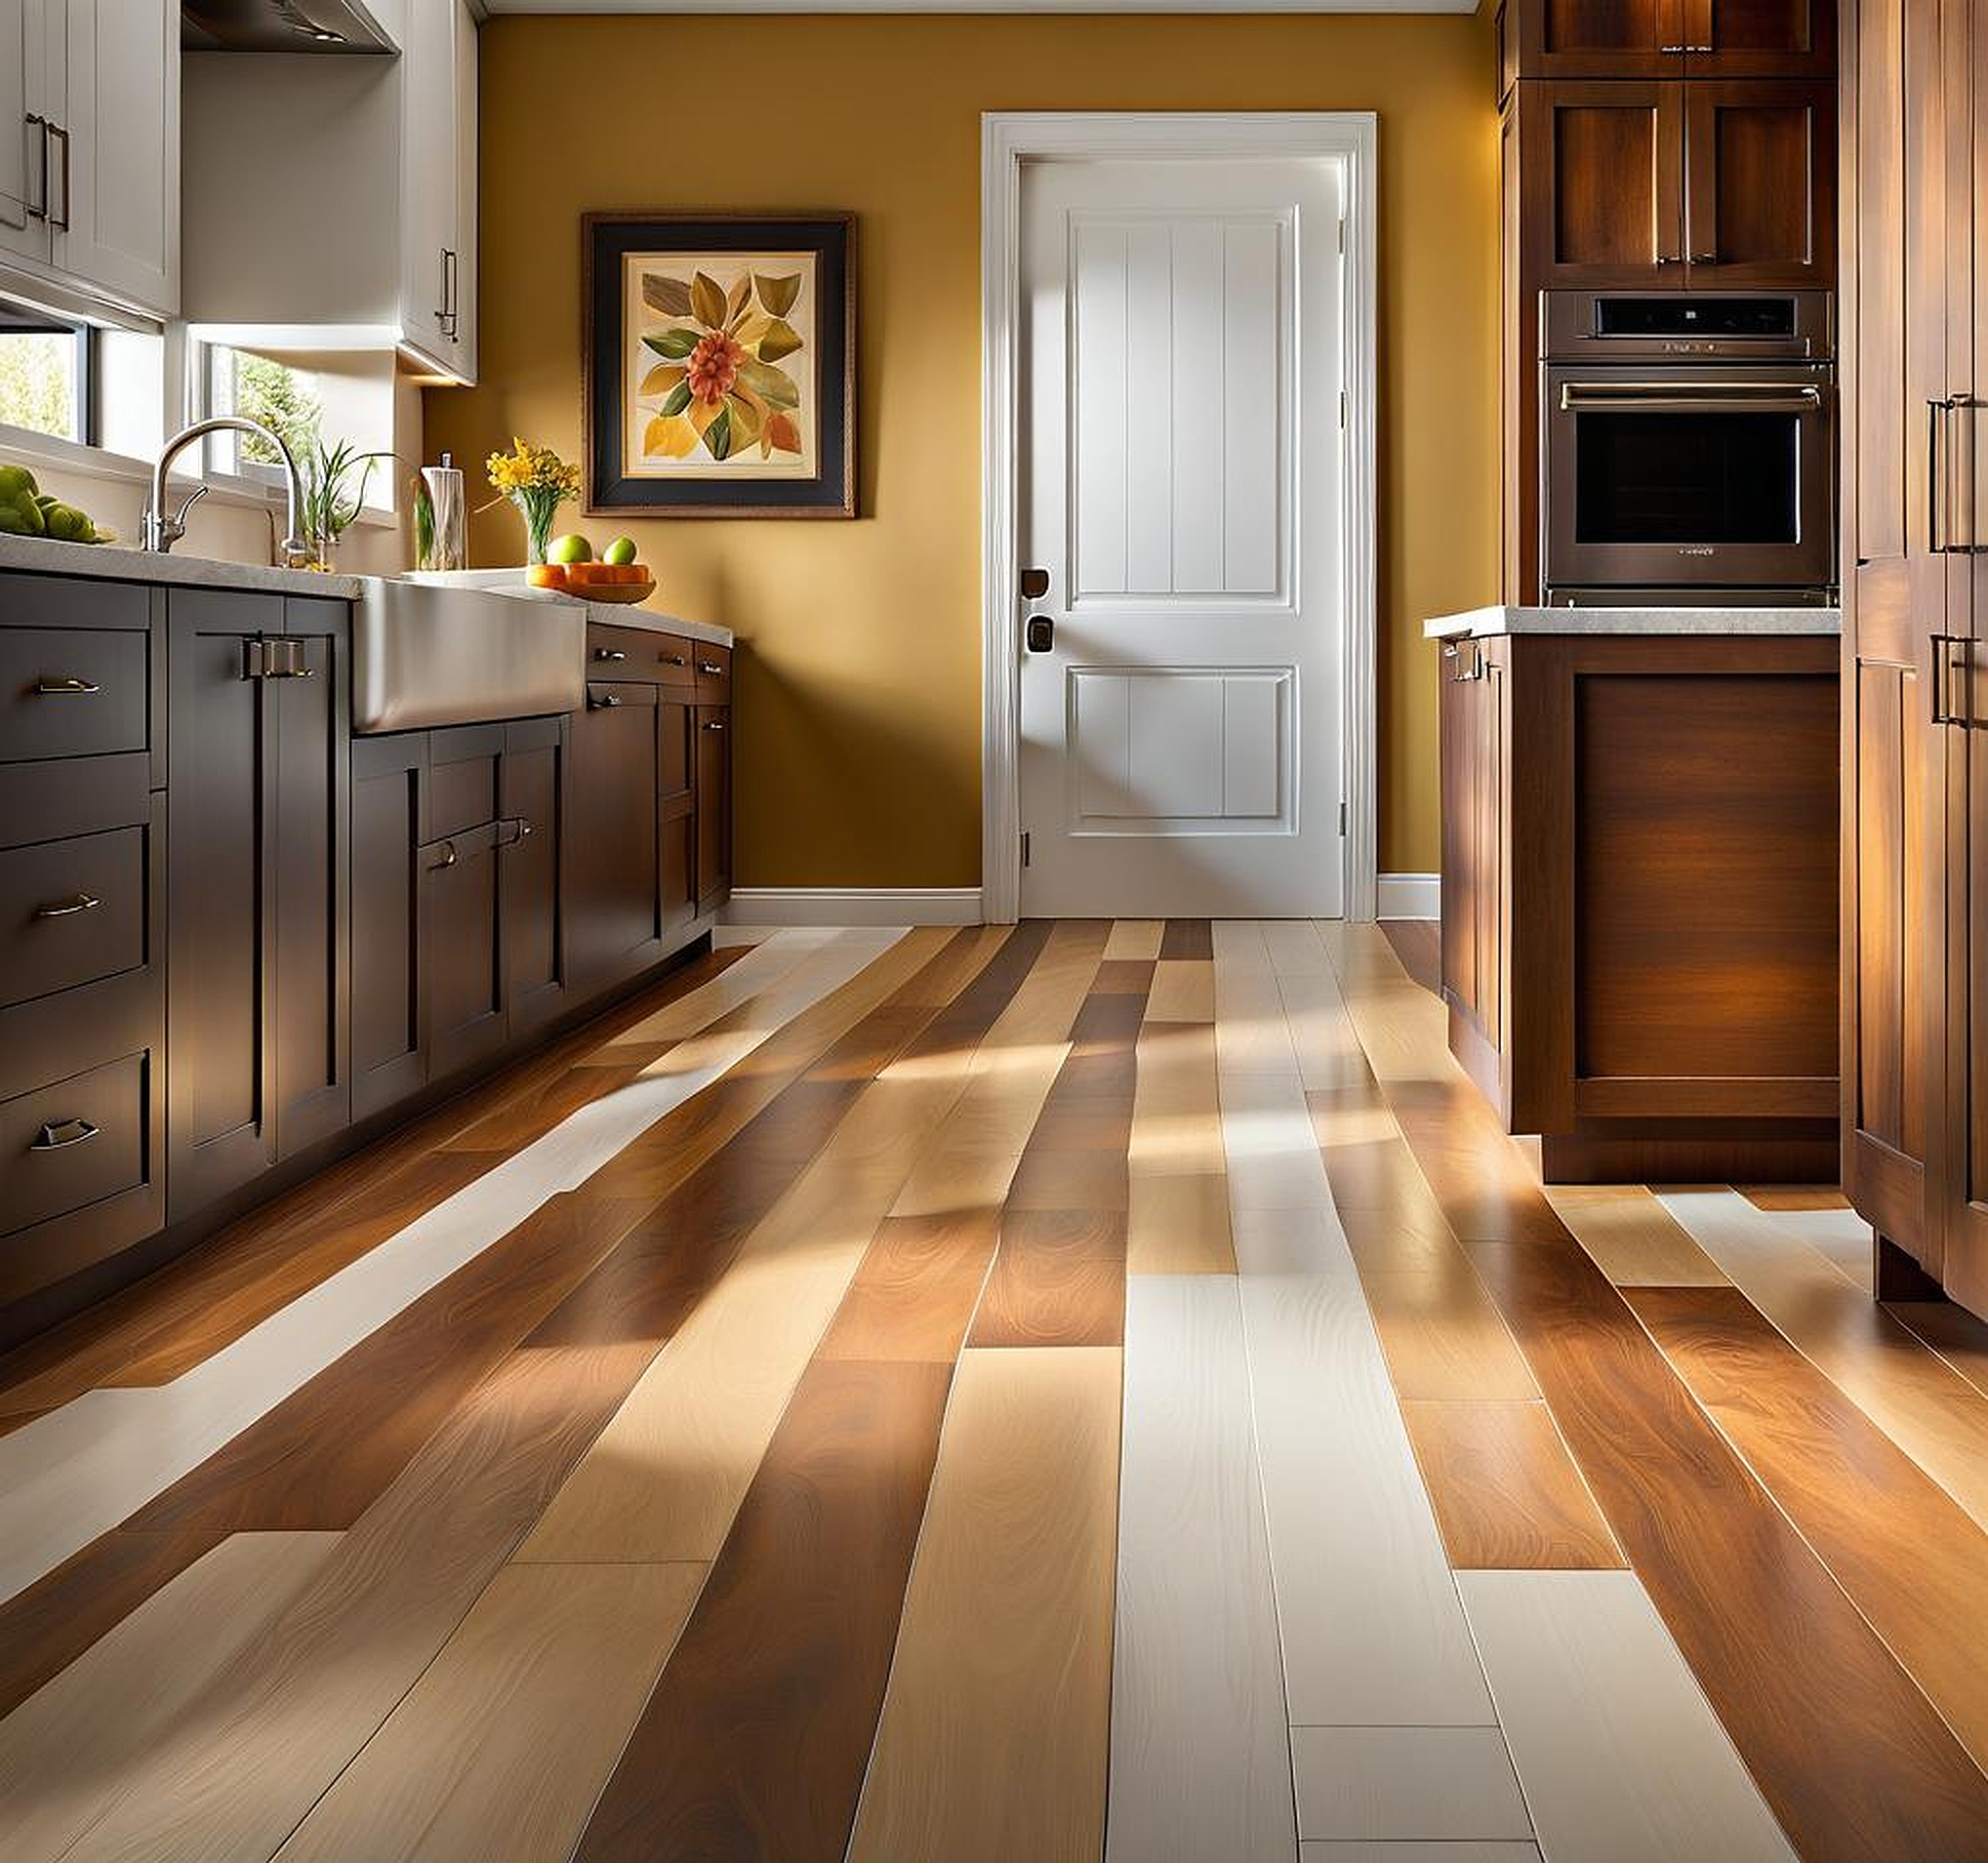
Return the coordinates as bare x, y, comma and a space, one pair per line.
1617, 1749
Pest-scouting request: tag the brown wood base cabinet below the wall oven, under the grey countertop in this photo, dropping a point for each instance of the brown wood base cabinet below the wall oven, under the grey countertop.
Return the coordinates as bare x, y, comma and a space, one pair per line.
1641, 898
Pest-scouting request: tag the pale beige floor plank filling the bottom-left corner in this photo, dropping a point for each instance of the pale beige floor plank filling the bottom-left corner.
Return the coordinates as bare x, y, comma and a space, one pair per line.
71, 1743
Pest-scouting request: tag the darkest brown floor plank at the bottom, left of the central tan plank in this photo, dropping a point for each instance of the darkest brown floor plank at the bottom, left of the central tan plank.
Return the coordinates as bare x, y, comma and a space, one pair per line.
758, 1735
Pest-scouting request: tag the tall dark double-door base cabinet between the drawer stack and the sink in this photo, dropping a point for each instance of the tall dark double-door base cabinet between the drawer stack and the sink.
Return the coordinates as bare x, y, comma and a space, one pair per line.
257, 882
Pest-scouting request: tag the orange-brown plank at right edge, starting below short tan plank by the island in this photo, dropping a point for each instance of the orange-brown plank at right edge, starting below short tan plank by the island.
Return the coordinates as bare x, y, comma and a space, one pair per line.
1905, 1552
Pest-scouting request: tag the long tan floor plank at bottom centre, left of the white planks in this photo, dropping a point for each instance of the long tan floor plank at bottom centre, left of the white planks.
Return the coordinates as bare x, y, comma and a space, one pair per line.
1003, 1667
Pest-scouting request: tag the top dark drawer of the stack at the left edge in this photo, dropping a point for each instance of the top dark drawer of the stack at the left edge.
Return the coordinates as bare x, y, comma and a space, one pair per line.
73, 693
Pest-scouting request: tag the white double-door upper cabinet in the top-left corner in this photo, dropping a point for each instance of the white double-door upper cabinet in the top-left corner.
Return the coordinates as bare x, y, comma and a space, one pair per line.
90, 146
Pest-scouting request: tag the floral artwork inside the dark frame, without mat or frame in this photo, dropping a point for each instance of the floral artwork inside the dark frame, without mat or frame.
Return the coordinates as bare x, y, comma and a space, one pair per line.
723, 365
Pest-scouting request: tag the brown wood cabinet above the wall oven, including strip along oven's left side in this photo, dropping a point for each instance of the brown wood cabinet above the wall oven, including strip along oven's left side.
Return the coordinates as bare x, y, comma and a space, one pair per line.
1653, 146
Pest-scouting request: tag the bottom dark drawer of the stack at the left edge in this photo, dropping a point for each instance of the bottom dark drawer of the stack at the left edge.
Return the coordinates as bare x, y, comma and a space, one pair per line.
73, 1144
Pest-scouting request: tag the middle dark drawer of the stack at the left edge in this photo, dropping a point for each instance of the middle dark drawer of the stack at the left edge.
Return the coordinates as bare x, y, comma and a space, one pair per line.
71, 912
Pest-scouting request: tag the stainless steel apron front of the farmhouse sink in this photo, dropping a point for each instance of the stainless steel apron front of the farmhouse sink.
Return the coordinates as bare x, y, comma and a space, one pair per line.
428, 655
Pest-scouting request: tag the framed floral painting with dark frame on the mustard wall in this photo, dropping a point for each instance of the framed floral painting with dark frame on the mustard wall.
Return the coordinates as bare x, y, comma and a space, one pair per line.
721, 365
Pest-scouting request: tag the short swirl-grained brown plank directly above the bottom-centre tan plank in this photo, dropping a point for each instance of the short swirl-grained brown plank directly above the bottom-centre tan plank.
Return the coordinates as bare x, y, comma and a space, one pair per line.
1059, 1279
